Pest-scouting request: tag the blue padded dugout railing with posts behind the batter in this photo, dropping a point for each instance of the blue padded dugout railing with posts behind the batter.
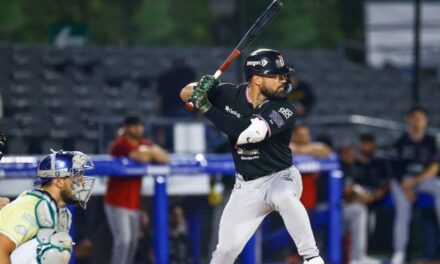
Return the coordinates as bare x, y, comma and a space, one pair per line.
25, 167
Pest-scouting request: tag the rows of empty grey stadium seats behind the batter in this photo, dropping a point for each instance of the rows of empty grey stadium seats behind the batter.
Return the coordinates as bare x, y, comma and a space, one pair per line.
54, 97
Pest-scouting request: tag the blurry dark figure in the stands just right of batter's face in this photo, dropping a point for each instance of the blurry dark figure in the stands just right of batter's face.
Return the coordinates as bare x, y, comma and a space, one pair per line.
302, 96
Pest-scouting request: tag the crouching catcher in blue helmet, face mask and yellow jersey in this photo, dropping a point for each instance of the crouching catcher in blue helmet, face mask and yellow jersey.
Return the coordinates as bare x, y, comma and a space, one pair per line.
34, 228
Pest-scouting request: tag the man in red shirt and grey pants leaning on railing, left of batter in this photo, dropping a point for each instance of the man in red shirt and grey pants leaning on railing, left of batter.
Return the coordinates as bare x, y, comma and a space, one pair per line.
123, 198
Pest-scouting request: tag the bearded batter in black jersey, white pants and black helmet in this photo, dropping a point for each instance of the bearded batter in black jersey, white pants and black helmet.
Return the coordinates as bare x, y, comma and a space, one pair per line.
258, 120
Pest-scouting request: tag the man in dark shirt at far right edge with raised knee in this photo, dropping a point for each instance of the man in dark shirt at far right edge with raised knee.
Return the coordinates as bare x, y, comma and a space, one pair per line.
416, 167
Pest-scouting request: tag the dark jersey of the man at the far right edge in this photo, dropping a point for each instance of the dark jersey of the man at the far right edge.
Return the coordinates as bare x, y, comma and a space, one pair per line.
413, 157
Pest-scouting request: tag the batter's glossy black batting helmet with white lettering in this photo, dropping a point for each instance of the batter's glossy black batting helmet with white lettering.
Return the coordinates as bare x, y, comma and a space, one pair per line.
265, 62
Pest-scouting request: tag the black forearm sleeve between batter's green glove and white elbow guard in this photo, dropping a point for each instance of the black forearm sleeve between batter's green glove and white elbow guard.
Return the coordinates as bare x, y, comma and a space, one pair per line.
228, 124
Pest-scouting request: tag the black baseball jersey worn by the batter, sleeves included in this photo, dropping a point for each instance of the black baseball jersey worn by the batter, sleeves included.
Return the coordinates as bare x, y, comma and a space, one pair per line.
271, 155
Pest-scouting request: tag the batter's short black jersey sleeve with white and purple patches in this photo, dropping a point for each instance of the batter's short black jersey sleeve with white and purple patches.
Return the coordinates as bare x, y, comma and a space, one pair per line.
278, 116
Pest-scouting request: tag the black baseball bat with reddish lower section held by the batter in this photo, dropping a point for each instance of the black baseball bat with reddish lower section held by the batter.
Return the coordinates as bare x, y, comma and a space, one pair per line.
263, 20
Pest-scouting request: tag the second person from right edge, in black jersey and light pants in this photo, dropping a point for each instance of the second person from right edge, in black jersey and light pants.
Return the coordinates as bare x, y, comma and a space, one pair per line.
364, 185
